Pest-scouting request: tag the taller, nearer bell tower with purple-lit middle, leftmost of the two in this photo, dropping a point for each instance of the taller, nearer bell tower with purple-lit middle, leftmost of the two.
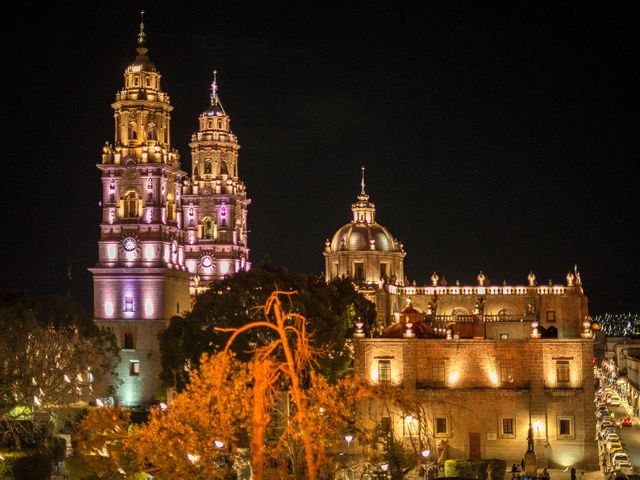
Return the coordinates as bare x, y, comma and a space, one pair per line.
140, 279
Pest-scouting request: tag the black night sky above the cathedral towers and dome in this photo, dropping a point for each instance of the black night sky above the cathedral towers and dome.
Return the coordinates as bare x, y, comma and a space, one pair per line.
502, 138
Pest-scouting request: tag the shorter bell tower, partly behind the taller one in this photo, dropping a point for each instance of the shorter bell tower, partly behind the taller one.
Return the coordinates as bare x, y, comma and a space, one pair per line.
214, 203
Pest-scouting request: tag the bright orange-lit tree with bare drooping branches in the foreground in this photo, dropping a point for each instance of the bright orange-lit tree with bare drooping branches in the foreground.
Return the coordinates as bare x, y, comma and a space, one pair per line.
203, 432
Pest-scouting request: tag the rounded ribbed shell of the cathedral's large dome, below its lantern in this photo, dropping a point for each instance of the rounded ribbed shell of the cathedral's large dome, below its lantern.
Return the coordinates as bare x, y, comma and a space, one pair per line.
357, 236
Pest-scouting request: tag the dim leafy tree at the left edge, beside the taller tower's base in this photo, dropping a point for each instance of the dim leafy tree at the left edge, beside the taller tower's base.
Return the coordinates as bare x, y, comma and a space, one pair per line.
51, 356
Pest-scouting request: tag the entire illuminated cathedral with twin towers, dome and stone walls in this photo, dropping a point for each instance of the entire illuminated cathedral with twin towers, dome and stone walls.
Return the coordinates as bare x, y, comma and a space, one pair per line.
489, 365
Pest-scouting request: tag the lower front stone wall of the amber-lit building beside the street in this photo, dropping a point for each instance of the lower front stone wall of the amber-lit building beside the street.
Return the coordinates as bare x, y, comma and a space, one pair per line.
478, 384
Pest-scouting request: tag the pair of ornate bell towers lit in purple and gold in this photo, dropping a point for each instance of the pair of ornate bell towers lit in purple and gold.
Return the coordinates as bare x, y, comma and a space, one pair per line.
165, 234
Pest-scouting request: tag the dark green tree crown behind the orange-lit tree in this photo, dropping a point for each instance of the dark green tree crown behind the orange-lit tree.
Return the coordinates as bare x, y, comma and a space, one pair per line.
331, 310
